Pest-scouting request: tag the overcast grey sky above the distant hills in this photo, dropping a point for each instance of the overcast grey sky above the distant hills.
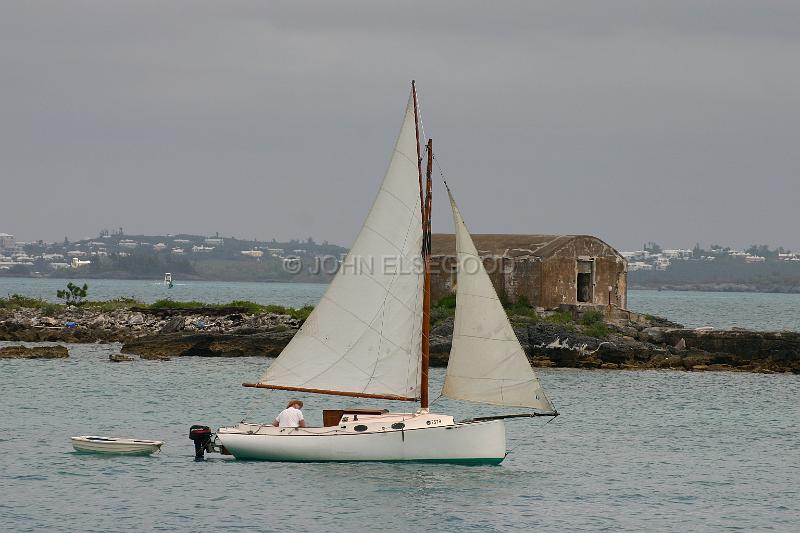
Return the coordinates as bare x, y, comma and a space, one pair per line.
633, 121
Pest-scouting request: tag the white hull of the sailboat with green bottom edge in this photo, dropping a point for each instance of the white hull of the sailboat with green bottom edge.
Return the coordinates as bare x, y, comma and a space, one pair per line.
441, 440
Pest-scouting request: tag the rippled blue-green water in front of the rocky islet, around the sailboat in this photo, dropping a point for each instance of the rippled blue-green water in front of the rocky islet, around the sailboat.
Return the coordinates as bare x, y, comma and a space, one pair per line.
632, 451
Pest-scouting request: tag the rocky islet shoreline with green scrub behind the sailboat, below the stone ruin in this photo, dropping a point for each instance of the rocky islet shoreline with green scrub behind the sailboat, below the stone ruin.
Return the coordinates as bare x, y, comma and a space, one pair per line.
630, 341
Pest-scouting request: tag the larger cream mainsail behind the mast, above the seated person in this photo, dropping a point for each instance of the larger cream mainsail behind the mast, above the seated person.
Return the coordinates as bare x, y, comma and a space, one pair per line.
364, 336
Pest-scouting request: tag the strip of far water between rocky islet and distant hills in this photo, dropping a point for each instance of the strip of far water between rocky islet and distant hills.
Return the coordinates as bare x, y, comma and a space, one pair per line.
694, 309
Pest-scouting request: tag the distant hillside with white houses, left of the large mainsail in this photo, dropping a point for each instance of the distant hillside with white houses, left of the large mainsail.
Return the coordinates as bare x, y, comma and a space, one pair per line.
187, 257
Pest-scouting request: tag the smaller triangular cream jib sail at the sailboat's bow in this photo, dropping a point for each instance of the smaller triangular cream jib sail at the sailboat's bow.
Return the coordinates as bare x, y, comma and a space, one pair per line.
487, 363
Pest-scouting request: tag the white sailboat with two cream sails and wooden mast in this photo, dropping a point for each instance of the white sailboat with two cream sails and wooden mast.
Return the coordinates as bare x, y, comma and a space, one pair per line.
369, 337
